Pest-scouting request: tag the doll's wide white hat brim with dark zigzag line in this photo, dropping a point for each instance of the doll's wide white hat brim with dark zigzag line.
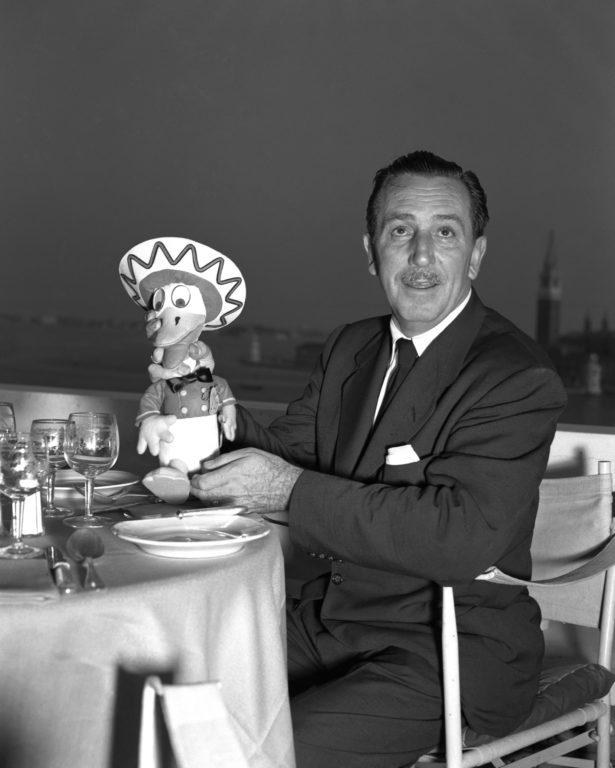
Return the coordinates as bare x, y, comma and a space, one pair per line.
155, 263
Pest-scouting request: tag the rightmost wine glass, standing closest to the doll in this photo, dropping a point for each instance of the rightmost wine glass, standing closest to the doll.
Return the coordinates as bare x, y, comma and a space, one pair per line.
91, 446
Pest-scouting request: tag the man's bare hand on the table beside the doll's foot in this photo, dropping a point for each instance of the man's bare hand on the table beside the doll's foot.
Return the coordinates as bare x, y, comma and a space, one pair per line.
250, 477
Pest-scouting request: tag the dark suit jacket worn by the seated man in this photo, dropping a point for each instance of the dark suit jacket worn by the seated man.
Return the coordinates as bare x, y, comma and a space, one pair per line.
480, 409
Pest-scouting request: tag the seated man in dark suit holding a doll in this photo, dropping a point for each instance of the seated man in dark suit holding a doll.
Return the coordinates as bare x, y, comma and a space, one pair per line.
402, 492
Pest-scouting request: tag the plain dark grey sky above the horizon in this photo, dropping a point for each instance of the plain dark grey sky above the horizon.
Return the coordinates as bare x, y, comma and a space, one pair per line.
257, 127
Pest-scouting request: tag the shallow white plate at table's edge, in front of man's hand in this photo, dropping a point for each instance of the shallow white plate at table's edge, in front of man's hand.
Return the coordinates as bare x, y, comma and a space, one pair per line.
191, 537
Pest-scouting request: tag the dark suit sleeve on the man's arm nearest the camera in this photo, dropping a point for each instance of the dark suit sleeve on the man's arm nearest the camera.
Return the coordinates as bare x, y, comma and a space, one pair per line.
476, 501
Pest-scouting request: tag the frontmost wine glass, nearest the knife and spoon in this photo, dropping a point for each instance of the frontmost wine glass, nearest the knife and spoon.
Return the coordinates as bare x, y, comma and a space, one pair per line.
21, 471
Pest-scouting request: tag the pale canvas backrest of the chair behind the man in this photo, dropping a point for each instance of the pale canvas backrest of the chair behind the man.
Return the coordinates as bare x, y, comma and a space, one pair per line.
574, 520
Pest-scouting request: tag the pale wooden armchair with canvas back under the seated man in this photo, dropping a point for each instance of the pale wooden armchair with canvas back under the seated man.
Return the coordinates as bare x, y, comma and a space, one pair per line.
573, 580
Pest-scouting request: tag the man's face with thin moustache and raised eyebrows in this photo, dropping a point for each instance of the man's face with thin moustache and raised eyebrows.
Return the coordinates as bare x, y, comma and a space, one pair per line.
424, 252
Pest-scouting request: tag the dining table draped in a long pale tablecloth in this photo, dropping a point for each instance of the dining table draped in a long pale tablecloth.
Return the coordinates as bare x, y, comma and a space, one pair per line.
73, 666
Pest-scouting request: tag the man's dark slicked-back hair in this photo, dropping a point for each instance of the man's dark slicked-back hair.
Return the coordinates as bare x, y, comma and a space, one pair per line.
423, 163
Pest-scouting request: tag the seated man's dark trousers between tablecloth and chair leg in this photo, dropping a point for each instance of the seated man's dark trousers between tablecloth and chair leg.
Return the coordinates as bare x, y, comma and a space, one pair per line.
353, 709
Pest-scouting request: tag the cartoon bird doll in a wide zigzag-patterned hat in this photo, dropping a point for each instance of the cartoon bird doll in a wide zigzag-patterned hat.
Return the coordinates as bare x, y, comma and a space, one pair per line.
187, 288
